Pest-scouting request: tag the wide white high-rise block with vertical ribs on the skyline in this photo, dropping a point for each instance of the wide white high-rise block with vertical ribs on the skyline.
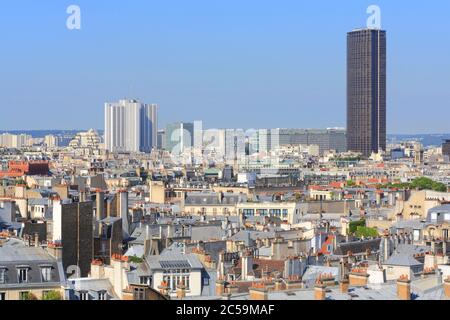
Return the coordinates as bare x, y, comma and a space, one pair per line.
130, 126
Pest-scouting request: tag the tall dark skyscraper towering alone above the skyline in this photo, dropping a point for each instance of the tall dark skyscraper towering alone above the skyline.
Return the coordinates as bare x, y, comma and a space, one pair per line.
366, 91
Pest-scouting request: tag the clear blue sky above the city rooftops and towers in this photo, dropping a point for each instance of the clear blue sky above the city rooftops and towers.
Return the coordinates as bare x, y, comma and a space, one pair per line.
230, 63
